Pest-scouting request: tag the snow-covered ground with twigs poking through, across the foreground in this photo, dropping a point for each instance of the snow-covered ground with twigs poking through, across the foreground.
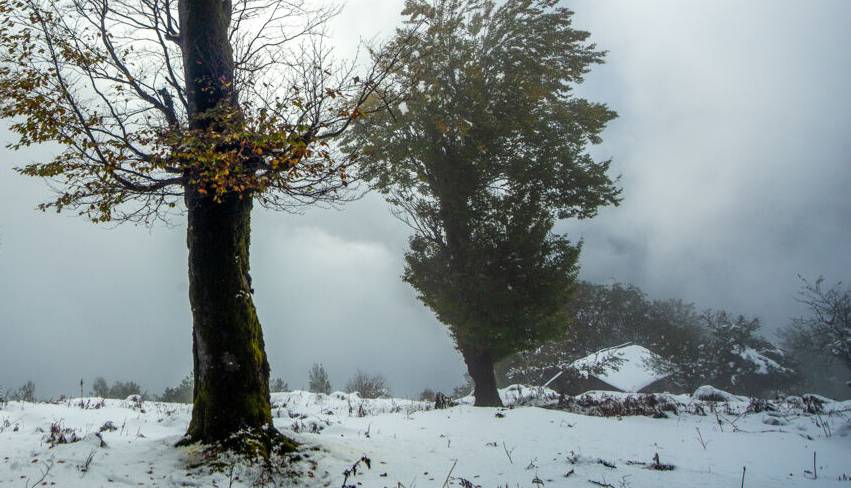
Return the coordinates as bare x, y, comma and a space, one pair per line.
410, 445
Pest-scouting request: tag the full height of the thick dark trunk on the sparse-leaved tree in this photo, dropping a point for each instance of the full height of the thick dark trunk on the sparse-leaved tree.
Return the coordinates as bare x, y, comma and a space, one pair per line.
231, 397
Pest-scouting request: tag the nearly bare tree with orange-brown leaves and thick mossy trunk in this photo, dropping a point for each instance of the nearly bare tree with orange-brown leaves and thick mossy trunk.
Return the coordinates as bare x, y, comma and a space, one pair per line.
202, 106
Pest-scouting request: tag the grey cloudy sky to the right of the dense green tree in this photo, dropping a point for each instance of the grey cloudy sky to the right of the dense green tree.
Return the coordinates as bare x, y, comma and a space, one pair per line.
733, 146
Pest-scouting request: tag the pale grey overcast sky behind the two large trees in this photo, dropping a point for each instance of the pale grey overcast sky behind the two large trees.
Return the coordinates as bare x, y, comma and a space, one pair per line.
734, 150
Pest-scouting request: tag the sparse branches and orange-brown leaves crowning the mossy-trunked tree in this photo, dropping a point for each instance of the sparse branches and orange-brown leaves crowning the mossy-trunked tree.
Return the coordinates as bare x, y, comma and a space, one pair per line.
106, 80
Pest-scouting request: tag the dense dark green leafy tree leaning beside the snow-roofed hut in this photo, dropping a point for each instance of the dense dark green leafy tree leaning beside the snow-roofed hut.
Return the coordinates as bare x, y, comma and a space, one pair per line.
485, 153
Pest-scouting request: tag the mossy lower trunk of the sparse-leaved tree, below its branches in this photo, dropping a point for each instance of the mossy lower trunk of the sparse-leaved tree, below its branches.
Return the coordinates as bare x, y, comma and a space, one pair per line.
231, 371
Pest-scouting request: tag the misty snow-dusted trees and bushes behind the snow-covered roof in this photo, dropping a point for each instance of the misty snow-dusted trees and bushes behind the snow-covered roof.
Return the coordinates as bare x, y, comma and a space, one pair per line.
702, 347
